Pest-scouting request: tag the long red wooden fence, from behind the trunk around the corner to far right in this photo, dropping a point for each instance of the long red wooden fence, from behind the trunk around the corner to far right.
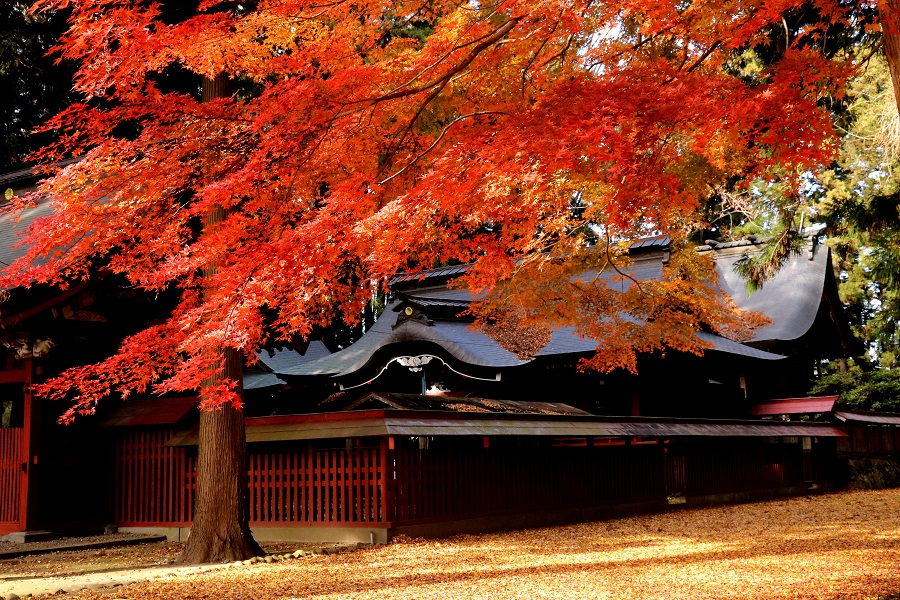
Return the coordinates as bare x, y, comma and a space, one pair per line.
404, 482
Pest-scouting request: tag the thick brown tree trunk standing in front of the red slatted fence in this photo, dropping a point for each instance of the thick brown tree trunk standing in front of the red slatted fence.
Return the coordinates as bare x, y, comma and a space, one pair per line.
221, 527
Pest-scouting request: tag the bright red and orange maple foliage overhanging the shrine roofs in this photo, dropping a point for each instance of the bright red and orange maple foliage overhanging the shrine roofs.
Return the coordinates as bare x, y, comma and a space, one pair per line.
368, 137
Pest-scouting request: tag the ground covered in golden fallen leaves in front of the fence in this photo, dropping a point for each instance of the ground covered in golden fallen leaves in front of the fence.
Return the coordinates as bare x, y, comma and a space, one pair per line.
844, 545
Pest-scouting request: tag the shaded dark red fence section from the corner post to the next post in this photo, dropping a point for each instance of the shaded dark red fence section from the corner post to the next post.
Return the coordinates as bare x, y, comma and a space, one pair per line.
462, 480
